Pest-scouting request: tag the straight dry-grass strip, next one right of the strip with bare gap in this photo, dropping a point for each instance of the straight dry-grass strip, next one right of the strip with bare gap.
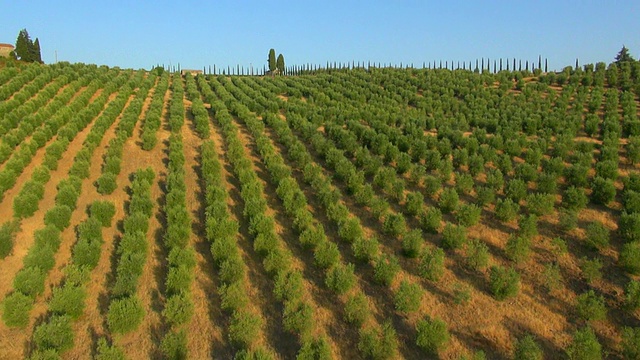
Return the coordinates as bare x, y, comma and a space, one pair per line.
206, 327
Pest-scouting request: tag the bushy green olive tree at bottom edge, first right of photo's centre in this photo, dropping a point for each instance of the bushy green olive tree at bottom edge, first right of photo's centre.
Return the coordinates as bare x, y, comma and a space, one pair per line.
378, 343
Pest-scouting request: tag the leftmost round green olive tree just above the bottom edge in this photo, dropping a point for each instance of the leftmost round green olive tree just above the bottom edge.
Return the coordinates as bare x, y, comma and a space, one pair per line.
56, 333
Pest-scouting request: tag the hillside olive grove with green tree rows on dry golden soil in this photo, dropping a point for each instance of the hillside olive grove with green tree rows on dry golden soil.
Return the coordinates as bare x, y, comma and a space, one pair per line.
382, 213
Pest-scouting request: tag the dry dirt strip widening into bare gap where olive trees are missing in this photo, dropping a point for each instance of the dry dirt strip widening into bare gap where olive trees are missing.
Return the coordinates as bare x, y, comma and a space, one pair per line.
144, 342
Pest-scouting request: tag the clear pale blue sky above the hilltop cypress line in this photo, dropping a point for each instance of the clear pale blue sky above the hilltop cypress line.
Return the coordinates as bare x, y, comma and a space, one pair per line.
196, 34
